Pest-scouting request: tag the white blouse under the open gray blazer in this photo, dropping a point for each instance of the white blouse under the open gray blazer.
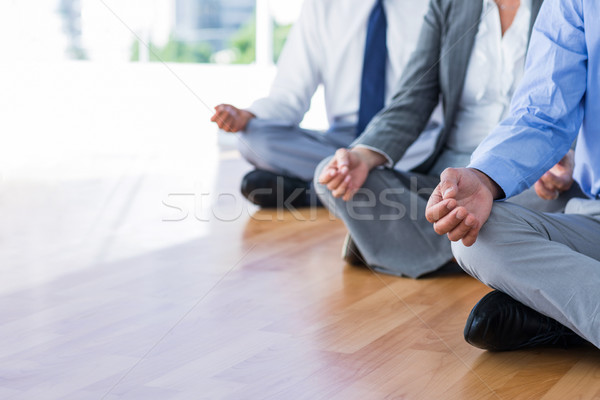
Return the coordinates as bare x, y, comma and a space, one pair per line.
495, 69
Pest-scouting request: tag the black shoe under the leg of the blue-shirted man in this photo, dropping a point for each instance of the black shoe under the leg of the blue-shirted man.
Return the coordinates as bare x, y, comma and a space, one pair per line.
500, 323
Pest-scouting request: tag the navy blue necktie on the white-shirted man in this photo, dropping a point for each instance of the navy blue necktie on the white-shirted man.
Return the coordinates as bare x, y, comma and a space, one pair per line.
372, 86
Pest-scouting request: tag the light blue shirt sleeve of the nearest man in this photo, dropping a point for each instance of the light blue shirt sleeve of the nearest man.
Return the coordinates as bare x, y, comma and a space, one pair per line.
547, 109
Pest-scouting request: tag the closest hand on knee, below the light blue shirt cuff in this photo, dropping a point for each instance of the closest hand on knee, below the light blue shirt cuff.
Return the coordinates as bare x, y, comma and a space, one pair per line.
461, 203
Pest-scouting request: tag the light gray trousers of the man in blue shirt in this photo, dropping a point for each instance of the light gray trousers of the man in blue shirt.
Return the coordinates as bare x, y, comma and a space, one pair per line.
550, 262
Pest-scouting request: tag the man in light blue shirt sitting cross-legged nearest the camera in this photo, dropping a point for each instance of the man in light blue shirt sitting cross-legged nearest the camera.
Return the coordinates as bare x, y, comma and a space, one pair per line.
545, 267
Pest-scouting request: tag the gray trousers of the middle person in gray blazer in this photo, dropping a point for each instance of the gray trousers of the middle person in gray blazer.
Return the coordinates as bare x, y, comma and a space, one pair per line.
386, 218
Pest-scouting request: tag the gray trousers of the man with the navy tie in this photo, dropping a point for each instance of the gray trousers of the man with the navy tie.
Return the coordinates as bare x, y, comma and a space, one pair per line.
287, 149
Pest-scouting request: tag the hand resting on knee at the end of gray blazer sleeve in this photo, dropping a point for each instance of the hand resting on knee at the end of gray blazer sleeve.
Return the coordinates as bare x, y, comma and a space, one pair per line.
348, 170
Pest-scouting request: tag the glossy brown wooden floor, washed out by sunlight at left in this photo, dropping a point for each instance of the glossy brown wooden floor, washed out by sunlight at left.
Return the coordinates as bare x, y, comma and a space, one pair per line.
133, 269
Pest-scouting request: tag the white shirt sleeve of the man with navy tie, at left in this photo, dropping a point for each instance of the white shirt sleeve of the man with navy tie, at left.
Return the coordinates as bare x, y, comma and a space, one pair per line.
298, 71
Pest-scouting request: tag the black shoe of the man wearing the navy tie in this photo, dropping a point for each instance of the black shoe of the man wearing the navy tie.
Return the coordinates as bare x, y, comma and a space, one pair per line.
269, 190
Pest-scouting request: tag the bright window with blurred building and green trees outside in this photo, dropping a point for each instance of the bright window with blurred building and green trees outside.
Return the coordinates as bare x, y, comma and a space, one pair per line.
206, 31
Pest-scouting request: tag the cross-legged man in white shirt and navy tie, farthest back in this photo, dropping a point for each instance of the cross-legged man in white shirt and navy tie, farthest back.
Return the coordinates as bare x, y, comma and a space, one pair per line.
357, 49
